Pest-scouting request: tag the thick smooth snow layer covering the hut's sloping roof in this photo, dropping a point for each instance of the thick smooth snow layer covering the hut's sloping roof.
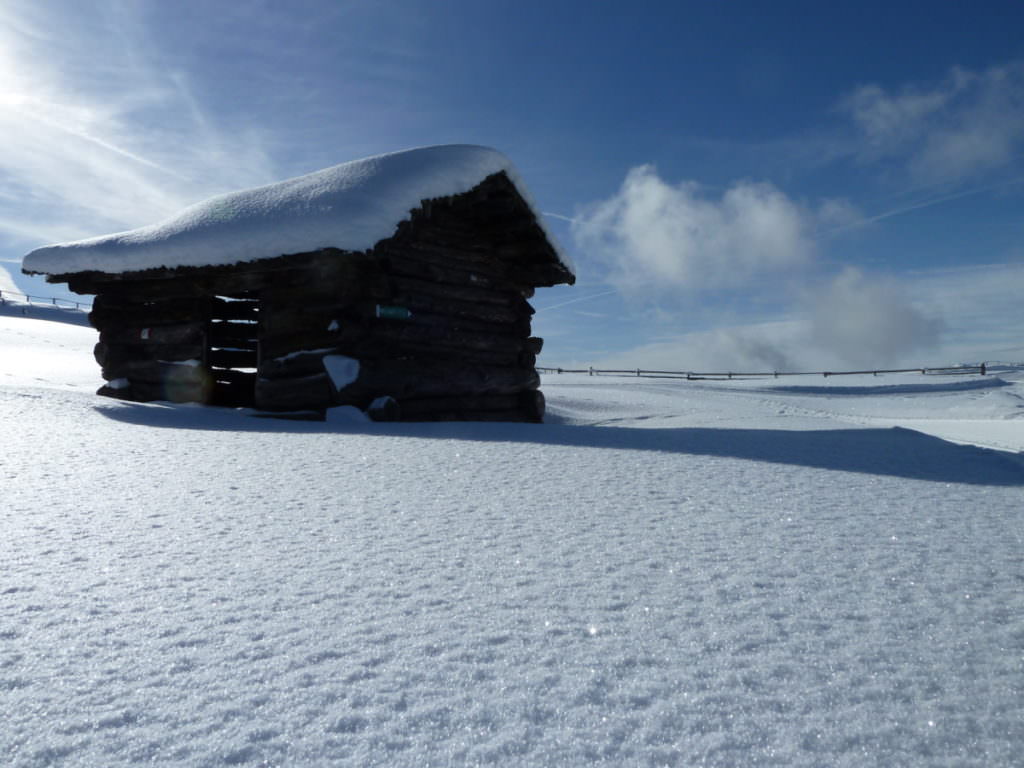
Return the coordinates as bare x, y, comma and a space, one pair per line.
351, 206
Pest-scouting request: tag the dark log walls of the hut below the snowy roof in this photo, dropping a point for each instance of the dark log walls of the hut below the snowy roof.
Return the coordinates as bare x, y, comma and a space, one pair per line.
432, 324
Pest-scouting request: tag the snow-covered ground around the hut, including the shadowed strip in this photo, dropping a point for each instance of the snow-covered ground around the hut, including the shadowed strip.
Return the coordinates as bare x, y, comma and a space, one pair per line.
803, 573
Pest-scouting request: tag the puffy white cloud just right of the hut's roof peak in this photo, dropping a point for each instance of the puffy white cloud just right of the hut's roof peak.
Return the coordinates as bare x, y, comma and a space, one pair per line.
660, 239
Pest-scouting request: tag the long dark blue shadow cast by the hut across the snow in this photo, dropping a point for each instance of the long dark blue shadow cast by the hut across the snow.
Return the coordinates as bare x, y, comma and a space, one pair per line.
892, 452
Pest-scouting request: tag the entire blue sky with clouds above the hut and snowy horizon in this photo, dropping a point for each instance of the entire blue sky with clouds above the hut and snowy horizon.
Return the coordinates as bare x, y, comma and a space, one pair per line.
742, 185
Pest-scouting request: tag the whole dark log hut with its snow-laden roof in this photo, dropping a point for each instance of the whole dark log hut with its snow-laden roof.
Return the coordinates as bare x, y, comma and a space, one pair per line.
397, 284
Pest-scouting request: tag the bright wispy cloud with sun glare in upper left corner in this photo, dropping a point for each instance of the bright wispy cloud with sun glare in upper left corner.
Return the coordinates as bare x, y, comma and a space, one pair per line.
99, 136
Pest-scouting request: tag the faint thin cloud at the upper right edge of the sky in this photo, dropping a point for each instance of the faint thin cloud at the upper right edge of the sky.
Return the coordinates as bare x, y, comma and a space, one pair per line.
969, 124
